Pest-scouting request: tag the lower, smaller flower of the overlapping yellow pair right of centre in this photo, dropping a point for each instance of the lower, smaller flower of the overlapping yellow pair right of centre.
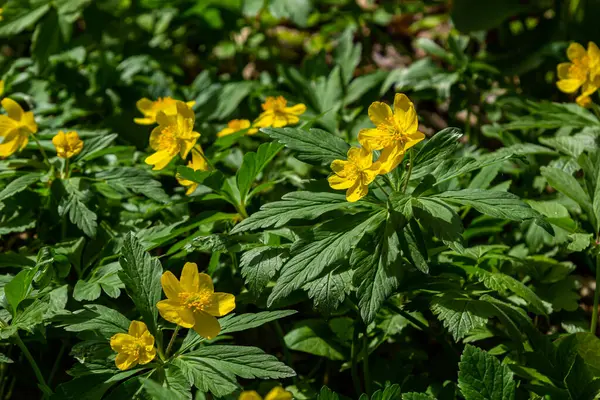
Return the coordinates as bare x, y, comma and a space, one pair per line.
354, 174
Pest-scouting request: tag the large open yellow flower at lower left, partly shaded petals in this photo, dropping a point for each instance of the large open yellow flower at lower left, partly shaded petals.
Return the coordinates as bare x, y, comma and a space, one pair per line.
193, 303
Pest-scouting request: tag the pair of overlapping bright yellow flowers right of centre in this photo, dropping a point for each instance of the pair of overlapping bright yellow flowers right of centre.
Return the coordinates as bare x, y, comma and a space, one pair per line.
395, 132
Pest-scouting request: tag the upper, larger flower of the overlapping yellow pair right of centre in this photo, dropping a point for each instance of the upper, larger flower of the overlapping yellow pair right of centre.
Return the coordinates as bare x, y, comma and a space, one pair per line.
395, 132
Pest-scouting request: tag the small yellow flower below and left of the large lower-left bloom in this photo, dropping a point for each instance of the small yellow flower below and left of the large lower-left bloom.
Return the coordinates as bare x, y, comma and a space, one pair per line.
133, 348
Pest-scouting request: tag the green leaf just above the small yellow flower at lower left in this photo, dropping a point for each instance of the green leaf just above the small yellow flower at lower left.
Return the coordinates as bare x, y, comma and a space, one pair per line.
94, 317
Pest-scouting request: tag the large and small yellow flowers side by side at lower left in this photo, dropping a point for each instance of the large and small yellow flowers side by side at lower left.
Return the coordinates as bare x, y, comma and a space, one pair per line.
191, 303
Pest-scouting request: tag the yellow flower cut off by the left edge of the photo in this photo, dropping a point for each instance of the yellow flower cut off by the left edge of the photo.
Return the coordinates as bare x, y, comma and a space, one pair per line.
15, 127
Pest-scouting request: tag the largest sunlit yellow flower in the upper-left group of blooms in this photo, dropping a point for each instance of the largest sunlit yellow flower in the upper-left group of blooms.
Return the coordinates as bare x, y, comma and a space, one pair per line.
174, 134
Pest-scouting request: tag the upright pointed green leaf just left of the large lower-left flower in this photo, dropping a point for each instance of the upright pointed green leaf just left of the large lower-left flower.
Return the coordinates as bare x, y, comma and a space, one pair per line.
141, 276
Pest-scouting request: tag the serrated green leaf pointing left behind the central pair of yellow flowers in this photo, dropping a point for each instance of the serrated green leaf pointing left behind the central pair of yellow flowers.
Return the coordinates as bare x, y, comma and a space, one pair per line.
314, 147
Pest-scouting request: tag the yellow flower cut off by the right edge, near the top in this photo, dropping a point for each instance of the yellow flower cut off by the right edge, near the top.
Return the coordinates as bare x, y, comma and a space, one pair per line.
582, 72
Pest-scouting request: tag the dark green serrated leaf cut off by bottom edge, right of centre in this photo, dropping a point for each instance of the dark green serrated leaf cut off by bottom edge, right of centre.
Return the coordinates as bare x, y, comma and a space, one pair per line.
482, 377
